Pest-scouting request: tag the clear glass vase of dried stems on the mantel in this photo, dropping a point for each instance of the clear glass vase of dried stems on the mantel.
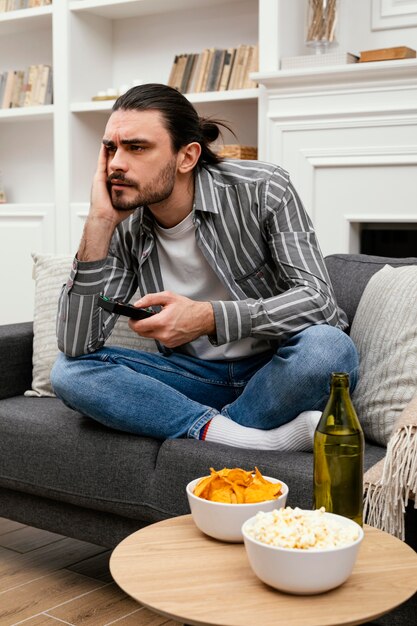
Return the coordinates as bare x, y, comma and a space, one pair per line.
321, 24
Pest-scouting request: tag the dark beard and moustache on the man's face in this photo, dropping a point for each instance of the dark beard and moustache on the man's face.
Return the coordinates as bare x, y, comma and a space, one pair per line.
157, 190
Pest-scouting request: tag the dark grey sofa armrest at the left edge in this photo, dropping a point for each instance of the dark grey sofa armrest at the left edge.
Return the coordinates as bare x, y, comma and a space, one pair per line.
15, 359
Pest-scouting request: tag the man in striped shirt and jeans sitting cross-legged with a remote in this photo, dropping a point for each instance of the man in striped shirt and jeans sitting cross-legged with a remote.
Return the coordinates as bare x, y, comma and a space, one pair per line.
246, 322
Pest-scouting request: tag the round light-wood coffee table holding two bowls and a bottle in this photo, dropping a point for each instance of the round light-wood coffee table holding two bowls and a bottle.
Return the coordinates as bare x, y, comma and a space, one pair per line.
177, 571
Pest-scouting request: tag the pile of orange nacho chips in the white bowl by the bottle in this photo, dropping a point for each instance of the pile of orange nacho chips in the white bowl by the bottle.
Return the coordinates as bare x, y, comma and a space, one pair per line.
236, 486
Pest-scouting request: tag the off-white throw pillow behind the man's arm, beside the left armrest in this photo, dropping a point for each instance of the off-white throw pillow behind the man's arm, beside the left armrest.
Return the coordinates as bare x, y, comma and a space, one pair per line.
50, 273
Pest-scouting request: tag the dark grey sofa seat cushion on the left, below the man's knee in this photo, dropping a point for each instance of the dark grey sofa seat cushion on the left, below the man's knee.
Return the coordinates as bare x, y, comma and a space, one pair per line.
49, 450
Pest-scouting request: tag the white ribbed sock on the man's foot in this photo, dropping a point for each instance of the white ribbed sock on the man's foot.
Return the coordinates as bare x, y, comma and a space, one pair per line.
297, 435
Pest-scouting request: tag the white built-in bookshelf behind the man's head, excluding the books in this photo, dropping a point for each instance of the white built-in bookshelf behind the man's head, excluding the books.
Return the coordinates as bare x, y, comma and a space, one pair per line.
48, 154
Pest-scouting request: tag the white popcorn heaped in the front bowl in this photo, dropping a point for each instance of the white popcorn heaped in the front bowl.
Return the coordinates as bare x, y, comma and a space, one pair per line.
305, 530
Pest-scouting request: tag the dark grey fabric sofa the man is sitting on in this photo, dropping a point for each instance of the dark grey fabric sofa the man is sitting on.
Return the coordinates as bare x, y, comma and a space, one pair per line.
65, 473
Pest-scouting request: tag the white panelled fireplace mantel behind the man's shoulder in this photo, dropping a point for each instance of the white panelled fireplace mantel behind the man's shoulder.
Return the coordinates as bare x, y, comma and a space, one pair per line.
348, 137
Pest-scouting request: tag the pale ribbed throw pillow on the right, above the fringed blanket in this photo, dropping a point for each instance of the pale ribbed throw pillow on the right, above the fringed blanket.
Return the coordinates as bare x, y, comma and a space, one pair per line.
384, 330
